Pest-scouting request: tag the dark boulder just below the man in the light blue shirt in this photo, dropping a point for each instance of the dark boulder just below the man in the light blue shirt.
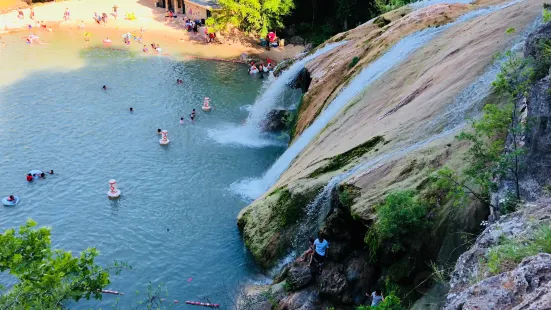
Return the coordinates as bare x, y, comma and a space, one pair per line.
332, 283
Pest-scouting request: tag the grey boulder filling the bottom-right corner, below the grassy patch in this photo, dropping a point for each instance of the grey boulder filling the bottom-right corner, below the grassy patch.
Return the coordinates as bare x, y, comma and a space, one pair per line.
526, 287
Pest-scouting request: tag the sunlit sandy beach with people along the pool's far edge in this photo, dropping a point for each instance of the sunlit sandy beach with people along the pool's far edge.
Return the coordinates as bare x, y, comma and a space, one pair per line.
167, 34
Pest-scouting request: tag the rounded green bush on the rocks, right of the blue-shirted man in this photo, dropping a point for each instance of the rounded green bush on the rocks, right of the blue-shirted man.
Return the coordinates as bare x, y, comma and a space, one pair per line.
401, 218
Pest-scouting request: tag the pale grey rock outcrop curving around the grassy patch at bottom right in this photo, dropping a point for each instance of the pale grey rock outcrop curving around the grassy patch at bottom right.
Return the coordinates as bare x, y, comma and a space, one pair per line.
527, 286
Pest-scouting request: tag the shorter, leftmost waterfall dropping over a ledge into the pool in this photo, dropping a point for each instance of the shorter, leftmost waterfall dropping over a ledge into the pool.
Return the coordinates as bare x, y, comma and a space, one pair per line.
250, 134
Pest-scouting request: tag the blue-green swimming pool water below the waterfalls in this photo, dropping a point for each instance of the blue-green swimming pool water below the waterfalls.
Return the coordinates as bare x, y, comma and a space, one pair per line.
176, 218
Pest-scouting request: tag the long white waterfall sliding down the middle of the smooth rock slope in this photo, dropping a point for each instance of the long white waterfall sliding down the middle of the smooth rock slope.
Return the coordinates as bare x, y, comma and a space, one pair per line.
395, 55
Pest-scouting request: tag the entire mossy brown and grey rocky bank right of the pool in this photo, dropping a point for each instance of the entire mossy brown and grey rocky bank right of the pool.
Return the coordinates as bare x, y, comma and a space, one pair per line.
392, 135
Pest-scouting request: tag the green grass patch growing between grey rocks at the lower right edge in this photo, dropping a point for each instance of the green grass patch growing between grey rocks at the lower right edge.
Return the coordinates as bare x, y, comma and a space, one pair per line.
511, 251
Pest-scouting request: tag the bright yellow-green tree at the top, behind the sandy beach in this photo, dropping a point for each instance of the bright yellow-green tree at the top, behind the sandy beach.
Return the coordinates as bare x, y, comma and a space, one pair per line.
255, 16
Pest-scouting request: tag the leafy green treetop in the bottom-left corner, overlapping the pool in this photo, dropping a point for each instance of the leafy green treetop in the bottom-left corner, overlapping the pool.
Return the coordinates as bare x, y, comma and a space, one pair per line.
47, 278
